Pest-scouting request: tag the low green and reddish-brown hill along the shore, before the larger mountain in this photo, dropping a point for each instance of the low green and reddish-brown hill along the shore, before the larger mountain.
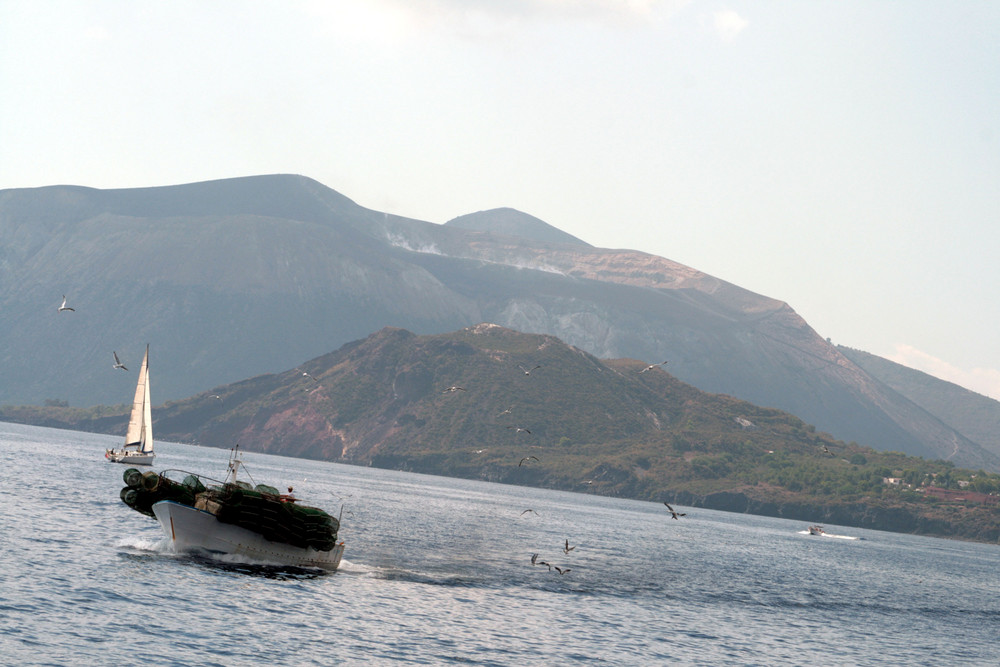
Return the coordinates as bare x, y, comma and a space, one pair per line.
490, 403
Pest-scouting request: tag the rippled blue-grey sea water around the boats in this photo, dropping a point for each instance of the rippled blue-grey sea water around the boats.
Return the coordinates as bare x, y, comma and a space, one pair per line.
438, 571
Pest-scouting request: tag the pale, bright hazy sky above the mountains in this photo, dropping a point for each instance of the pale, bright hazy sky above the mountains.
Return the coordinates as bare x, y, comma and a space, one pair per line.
842, 157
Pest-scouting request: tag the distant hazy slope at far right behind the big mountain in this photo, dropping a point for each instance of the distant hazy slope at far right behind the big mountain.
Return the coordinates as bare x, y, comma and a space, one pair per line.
973, 415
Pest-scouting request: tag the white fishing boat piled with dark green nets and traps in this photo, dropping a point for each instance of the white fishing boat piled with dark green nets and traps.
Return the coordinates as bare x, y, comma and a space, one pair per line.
255, 522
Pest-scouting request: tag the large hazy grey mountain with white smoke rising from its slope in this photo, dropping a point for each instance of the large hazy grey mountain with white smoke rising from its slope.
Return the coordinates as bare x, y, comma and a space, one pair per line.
235, 278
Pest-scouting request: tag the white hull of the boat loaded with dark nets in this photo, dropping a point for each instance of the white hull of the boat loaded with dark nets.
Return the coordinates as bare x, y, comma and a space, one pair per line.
191, 529
